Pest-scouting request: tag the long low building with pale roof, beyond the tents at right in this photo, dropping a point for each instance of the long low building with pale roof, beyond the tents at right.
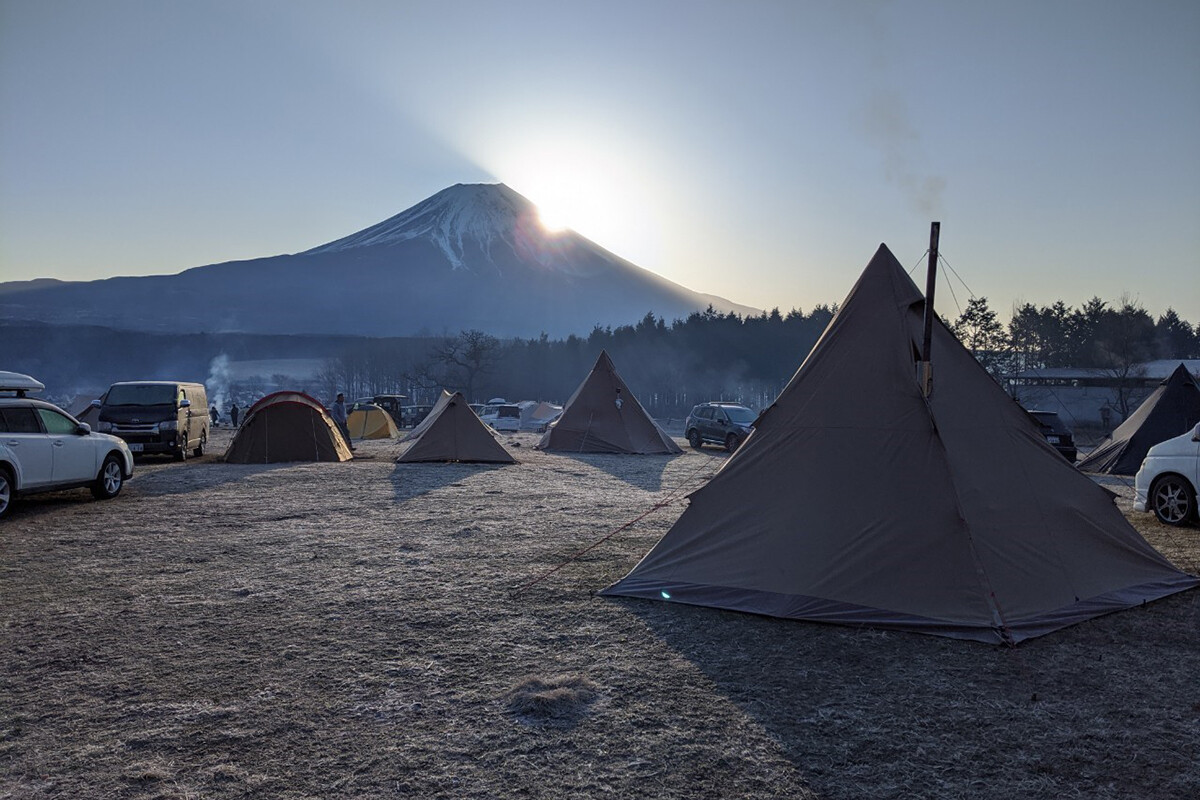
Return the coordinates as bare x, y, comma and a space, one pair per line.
1094, 398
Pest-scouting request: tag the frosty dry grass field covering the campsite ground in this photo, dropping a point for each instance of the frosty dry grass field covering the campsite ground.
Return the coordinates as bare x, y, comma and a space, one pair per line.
355, 631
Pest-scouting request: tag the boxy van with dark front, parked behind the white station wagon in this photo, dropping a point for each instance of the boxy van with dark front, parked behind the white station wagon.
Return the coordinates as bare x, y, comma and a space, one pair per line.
158, 417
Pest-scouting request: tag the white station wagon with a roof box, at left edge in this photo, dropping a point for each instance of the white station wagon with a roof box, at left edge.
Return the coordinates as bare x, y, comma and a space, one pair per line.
45, 449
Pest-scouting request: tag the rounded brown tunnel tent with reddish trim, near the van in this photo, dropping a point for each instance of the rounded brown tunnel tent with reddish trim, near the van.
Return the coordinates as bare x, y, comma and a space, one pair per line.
287, 426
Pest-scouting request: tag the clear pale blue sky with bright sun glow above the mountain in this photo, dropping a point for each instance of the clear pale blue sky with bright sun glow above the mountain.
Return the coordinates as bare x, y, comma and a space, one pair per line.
755, 149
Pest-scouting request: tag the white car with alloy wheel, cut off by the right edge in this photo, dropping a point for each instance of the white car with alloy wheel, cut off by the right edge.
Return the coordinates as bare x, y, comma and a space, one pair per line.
1168, 479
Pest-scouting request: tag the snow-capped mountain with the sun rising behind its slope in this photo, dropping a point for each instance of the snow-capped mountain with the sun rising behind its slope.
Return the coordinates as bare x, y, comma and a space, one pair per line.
470, 257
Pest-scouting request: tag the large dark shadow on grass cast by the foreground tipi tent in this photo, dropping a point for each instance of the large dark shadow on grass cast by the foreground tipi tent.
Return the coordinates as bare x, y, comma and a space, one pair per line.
866, 713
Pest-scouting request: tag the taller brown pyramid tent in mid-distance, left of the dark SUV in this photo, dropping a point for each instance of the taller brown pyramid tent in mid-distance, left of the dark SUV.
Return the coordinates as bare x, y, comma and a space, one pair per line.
604, 417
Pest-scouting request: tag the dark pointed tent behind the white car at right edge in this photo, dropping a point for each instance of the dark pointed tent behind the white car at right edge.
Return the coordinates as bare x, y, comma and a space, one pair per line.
1172, 410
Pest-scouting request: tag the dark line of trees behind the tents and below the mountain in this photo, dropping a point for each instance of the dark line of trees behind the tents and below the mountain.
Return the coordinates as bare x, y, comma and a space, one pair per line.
711, 356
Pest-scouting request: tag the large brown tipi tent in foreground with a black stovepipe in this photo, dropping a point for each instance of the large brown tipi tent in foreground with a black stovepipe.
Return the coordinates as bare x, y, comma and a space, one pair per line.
861, 501
